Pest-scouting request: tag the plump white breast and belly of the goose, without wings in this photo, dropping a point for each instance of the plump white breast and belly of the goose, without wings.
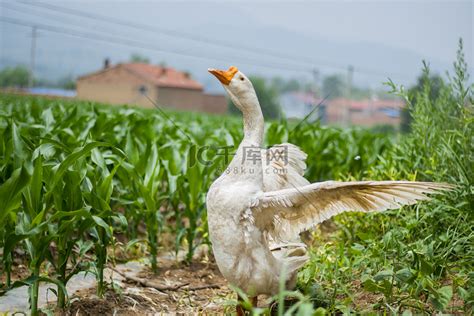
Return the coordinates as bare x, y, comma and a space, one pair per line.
241, 249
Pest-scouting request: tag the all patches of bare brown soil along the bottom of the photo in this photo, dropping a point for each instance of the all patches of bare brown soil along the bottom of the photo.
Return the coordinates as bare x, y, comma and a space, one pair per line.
177, 289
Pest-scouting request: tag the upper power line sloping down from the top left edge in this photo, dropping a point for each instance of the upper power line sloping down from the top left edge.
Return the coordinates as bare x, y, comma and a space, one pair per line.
215, 42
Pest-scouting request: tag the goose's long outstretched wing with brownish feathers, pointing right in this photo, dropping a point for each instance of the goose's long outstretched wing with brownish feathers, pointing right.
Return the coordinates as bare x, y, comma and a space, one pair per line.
285, 213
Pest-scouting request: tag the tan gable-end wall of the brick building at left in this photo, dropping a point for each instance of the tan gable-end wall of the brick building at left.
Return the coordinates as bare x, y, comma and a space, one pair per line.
115, 86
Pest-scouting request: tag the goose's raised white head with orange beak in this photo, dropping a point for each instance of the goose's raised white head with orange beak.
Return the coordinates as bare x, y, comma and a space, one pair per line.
238, 87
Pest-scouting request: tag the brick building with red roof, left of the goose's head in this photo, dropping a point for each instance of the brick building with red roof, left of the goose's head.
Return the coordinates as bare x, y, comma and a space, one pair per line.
129, 83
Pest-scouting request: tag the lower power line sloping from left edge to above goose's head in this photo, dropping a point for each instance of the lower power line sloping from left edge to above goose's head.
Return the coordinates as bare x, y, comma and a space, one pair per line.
133, 43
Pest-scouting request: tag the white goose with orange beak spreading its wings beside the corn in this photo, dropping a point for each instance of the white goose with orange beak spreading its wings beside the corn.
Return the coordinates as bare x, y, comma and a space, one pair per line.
259, 202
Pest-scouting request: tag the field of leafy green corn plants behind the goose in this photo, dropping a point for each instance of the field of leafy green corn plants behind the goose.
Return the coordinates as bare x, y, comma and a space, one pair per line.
76, 173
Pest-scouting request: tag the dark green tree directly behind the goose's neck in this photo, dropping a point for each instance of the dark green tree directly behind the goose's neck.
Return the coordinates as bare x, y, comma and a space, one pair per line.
267, 96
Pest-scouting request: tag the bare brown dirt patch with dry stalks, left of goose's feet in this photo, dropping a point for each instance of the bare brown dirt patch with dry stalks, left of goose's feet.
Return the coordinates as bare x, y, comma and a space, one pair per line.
203, 290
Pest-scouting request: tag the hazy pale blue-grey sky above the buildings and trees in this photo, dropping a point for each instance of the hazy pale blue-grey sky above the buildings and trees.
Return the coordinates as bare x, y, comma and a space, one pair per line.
388, 37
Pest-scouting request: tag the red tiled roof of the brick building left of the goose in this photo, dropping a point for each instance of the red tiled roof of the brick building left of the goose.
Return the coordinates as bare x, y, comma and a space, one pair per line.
163, 76
